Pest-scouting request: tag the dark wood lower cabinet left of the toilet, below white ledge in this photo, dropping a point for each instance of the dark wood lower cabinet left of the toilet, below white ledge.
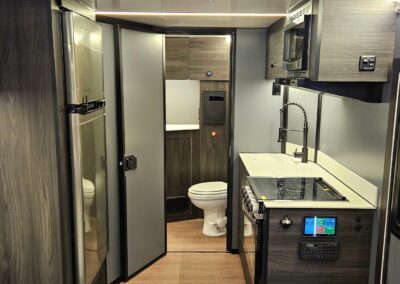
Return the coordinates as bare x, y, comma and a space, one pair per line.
182, 171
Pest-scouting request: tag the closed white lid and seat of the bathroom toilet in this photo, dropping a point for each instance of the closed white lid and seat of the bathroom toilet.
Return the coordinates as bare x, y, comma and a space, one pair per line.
208, 190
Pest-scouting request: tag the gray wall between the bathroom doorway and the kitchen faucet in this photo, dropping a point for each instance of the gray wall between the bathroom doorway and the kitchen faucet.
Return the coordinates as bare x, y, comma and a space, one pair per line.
256, 110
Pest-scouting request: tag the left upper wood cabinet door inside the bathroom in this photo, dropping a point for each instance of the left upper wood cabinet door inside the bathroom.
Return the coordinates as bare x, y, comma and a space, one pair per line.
176, 58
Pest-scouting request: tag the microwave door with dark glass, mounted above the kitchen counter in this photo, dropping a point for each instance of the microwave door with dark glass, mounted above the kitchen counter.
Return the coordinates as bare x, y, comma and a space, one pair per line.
296, 44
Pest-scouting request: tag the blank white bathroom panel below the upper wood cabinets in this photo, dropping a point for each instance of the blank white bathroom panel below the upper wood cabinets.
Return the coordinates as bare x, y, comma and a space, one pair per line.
182, 101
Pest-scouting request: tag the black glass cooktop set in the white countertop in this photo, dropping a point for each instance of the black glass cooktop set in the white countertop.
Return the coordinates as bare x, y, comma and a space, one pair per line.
293, 188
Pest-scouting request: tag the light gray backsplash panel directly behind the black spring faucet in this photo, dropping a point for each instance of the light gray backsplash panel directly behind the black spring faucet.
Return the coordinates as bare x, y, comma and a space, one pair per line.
309, 100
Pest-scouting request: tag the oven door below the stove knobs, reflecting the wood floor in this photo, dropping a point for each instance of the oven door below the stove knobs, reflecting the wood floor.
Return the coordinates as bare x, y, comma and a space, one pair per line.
251, 247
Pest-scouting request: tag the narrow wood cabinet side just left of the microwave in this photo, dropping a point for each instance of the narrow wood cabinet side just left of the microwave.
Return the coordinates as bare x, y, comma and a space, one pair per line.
274, 58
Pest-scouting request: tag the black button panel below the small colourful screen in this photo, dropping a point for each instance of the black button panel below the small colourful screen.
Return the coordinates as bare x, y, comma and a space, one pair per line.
318, 250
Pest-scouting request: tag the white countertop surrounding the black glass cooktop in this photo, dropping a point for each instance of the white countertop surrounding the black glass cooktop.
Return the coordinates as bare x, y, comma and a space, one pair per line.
282, 165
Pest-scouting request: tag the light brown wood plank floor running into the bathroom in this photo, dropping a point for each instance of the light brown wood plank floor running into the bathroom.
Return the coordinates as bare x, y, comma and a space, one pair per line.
193, 258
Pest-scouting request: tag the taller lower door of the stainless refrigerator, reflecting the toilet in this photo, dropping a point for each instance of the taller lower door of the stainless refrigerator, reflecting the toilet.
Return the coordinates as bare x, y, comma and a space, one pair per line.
89, 192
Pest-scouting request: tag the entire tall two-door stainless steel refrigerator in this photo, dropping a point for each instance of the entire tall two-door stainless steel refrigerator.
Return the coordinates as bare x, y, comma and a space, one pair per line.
85, 97
